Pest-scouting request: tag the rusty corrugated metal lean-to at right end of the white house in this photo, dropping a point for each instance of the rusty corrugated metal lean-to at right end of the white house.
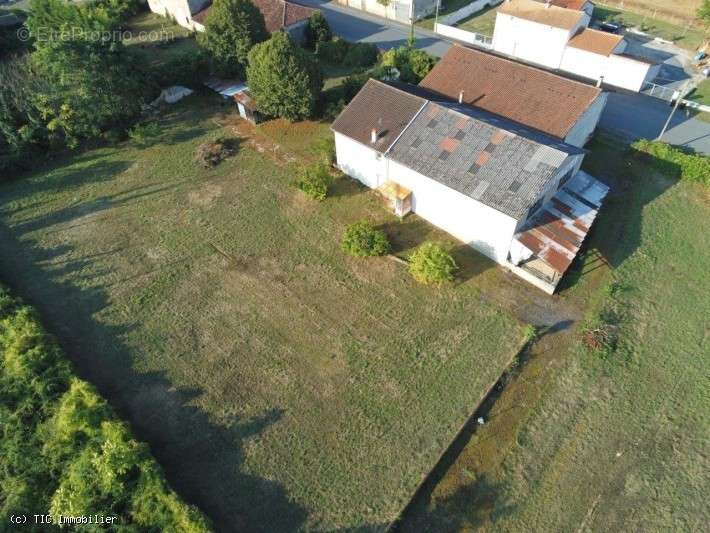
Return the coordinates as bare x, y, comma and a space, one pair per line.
556, 232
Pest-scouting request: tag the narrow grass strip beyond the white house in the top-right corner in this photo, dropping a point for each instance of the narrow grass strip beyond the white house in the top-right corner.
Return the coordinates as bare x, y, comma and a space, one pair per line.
689, 38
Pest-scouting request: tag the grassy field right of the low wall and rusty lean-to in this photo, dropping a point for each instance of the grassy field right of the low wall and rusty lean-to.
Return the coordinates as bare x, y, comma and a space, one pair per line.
578, 442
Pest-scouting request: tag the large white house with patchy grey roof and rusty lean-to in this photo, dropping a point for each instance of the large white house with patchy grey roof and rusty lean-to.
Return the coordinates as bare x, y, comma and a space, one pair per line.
513, 193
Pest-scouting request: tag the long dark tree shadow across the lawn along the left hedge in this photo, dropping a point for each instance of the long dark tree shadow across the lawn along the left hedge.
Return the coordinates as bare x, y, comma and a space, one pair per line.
203, 461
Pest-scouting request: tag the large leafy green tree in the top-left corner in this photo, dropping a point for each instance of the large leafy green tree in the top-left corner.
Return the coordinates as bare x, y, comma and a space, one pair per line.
95, 83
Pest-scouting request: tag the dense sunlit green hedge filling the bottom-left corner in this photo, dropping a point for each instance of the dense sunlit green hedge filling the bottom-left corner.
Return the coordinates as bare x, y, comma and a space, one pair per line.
63, 451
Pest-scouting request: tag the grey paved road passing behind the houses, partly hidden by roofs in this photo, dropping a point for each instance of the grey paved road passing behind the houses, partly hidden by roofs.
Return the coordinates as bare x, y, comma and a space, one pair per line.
631, 115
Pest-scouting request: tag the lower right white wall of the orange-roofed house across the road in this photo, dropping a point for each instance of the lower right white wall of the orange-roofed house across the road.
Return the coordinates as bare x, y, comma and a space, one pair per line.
619, 71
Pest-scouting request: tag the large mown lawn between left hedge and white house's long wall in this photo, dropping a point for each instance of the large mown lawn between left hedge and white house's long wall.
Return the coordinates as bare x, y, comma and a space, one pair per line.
281, 384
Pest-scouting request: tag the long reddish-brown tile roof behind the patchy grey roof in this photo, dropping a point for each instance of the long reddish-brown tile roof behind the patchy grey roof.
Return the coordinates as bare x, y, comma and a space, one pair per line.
530, 96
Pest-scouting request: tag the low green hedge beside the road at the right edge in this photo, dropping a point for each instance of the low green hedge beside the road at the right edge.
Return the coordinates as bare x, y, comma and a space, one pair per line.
674, 162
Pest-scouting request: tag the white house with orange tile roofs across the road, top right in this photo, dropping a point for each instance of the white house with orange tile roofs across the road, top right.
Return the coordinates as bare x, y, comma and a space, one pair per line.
555, 35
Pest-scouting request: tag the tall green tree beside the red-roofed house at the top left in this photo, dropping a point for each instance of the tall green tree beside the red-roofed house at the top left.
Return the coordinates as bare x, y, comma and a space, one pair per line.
232, 28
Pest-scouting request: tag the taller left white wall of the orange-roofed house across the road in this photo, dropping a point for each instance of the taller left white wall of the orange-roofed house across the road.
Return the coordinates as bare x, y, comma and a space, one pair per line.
530, 41
